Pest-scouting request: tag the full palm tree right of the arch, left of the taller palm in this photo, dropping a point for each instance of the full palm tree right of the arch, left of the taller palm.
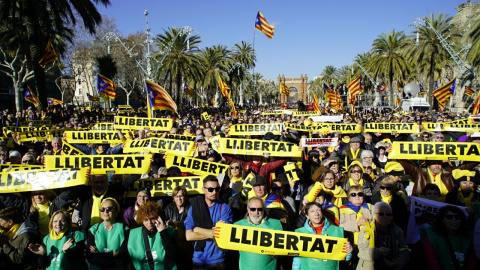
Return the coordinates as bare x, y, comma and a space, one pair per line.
389, 58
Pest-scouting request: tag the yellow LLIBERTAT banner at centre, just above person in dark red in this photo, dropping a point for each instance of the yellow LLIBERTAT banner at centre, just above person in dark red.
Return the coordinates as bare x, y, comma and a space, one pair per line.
257, 147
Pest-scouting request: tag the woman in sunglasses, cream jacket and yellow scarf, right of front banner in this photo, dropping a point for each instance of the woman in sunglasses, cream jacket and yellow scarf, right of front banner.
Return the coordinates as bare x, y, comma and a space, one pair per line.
355, 213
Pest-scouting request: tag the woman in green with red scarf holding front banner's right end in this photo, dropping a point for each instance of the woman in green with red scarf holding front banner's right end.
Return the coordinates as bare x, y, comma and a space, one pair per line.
316, 223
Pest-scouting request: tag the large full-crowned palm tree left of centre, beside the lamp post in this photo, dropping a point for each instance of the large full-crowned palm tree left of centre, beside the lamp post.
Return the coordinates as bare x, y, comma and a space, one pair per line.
181, 59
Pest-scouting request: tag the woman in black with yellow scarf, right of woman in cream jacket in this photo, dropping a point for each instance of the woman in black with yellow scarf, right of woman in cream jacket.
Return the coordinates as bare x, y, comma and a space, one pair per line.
388, 194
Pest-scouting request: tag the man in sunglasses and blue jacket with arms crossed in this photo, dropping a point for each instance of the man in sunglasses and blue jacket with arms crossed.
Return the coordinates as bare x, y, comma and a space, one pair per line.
205, 212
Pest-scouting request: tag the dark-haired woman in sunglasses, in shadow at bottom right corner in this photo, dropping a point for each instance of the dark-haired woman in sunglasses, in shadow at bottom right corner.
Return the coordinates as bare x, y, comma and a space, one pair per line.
448, 244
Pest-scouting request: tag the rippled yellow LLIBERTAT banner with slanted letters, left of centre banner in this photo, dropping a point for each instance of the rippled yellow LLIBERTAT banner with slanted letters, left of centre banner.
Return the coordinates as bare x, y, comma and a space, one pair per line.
160, 145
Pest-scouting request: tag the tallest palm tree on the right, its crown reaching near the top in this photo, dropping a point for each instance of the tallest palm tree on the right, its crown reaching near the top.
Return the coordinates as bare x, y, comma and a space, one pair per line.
429, 51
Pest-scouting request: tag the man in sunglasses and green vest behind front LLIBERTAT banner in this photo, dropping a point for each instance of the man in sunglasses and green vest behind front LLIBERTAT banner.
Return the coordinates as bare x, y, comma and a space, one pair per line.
256, 217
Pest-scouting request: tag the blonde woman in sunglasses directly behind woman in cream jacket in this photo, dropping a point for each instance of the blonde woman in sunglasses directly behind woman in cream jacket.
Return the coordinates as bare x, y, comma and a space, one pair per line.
356, 177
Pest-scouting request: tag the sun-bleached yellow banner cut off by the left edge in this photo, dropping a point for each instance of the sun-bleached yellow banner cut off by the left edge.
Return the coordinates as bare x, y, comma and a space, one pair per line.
42, 179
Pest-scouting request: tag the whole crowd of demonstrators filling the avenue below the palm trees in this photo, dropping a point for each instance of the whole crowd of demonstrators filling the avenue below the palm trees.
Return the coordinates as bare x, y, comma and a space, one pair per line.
353, 190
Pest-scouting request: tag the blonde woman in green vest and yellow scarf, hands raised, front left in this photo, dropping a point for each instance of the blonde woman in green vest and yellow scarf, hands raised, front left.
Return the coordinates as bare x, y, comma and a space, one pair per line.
64, 247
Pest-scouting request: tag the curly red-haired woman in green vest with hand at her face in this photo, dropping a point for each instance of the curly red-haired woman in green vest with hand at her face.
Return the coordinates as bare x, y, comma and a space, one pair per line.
152, 246
